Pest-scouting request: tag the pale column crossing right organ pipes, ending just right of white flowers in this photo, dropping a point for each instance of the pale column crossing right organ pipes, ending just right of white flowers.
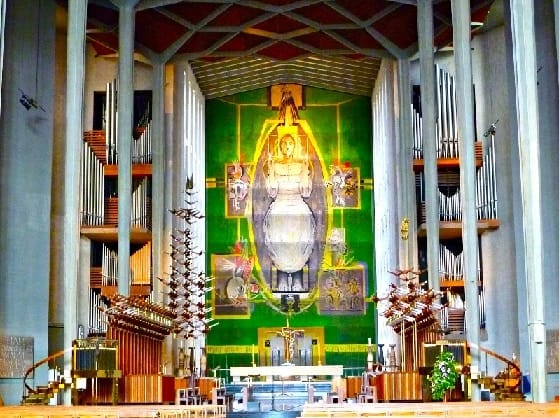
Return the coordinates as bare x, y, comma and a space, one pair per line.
465, 117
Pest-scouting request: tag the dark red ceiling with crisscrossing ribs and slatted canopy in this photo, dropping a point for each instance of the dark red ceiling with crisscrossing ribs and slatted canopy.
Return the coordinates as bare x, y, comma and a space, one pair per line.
241, 45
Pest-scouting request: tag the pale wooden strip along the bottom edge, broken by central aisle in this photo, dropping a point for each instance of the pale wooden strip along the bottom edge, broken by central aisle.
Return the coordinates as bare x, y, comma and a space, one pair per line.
316, 410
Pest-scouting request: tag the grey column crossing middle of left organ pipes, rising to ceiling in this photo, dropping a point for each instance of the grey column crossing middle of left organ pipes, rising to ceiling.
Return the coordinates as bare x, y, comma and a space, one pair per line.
125, 97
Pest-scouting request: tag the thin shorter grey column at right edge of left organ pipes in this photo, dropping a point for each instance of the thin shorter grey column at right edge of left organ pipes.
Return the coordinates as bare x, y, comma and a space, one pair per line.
157, 178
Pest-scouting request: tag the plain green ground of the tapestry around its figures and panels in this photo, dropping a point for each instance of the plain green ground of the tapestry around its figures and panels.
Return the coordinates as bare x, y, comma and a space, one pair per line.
233, 126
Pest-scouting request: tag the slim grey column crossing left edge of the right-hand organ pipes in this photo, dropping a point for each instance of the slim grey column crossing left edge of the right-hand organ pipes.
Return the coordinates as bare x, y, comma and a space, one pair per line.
428, 103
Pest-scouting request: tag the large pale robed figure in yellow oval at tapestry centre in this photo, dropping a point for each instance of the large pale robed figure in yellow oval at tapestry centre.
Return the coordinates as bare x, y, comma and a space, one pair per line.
289, 210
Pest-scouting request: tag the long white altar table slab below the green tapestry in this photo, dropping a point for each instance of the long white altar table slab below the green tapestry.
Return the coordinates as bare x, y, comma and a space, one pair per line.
282, 372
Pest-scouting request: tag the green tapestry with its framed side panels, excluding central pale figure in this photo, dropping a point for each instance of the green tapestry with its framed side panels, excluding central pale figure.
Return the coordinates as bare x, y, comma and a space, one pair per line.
331, 307
